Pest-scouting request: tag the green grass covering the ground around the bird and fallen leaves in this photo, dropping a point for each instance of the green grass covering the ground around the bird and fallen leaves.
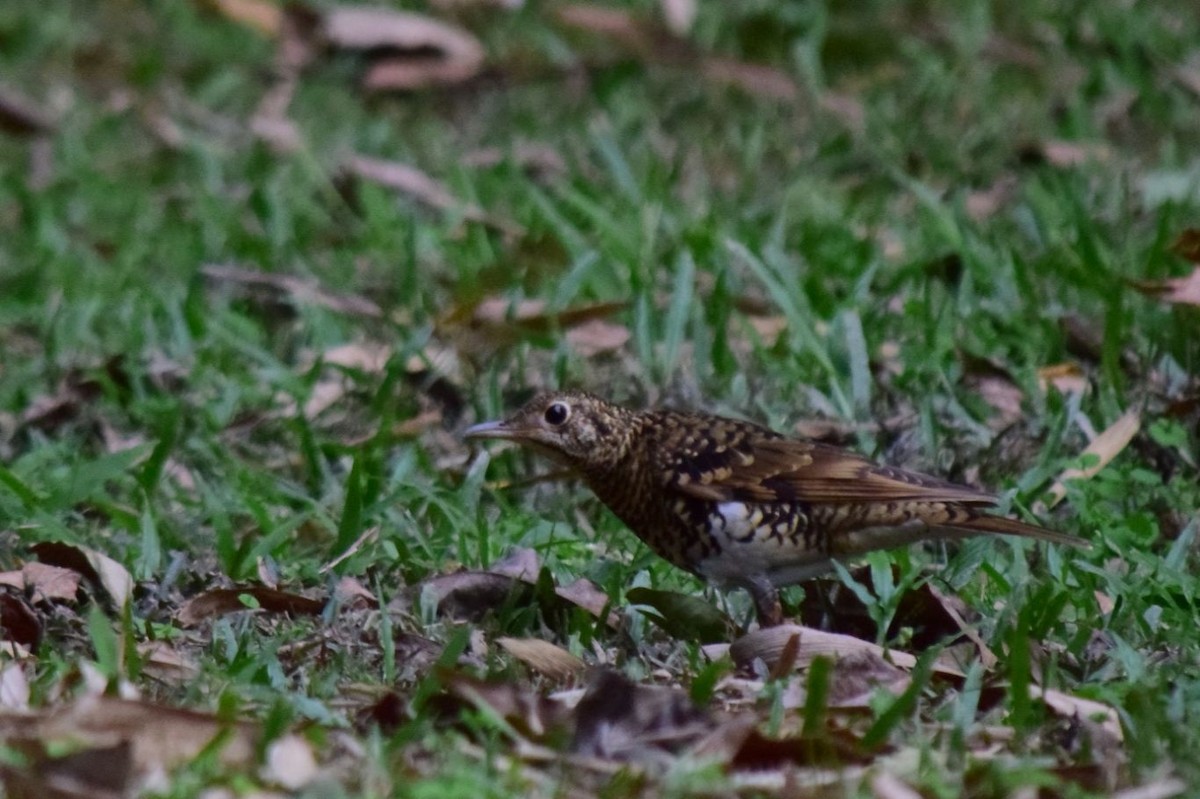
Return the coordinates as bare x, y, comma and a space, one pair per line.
845, 214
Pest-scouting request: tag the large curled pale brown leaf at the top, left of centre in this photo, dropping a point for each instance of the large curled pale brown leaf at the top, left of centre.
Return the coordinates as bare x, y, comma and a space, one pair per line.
421, 51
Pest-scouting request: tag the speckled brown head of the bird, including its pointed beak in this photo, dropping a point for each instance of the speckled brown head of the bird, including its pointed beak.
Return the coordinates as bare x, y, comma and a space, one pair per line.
574, 429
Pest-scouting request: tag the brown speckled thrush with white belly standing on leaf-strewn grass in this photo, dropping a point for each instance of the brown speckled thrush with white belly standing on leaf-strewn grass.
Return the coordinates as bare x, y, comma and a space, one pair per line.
742, 506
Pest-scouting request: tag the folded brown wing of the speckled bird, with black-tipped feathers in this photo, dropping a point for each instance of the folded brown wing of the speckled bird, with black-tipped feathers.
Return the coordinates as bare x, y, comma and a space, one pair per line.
733, 461
